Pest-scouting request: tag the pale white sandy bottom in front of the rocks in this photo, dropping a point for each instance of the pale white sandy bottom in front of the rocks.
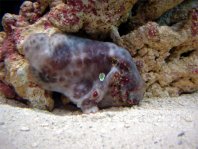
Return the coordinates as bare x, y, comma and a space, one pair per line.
156, 123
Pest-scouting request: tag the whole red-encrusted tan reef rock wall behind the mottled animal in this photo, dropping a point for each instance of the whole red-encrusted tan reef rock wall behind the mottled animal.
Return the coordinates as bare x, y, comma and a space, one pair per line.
161, 36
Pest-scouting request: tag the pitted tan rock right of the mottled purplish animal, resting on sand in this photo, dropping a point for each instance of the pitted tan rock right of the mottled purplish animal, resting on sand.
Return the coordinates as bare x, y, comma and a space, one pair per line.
167, 56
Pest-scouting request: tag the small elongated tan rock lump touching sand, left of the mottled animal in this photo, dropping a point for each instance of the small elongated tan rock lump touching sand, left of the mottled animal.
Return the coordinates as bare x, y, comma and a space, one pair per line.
19, 77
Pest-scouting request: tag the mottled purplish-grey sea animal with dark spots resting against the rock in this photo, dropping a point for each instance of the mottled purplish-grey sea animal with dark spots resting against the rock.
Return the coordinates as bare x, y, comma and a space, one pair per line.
90, 73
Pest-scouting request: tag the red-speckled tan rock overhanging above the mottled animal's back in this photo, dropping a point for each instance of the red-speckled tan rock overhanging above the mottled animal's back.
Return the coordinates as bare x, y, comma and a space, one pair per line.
95, 17
